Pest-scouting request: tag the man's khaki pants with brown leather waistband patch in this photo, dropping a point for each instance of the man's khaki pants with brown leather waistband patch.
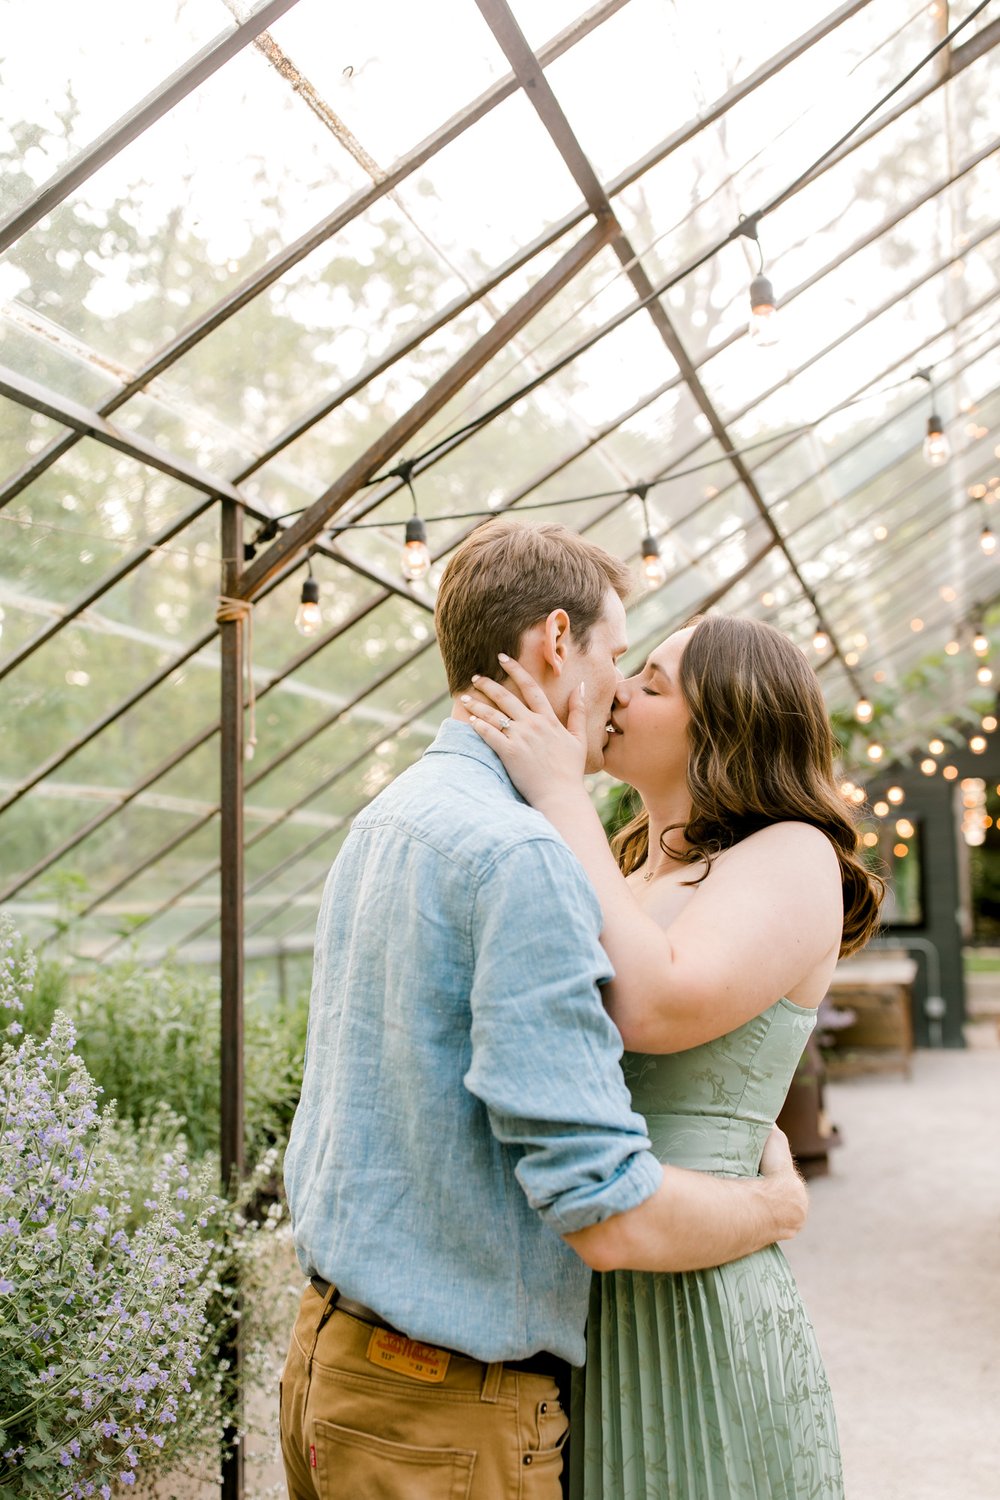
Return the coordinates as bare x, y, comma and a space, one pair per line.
356, 1430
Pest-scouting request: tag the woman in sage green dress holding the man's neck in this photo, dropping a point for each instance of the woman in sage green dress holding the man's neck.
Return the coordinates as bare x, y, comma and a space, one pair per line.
738, 890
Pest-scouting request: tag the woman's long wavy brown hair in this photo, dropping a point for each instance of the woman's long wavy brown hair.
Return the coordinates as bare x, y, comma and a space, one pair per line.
761, 752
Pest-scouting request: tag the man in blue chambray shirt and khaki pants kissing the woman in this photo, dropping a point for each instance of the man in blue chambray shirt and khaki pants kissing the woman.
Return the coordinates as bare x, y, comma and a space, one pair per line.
466, 1148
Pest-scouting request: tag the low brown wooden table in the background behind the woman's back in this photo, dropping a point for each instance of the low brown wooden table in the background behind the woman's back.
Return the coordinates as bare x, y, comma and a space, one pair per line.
879, 991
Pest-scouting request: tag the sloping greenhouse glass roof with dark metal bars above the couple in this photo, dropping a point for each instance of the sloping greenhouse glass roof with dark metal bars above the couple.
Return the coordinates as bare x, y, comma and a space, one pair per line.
257, 260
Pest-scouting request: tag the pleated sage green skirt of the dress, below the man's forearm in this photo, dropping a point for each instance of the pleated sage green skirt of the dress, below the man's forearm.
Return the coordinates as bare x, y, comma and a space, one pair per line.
704, 1387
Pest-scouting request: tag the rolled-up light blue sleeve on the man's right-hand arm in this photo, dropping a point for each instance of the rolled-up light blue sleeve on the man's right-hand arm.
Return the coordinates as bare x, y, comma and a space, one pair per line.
546, 1058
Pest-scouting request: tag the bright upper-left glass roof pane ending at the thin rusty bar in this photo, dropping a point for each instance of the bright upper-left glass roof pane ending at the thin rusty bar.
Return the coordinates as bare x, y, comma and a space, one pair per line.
167, 229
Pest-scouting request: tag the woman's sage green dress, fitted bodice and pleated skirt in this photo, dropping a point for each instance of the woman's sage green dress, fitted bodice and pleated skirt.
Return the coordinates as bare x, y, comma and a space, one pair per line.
708, 1385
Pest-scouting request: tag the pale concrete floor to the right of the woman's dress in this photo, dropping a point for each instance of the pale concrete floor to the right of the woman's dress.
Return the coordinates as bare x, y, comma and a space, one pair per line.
900, 1270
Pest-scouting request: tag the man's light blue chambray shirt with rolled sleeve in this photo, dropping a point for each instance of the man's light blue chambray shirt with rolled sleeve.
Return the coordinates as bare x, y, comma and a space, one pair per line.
463, 1103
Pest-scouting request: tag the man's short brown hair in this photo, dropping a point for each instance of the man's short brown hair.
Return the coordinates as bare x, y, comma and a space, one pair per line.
504, 580
